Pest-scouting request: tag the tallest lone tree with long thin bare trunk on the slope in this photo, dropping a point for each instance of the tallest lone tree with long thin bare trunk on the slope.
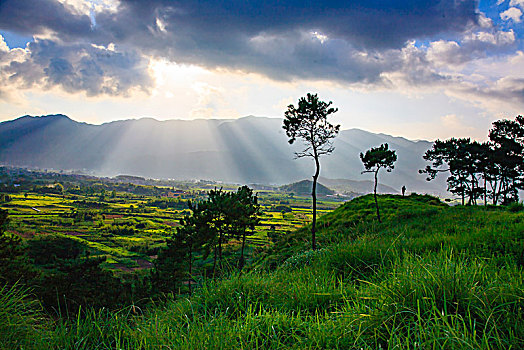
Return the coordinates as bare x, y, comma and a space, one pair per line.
308, 121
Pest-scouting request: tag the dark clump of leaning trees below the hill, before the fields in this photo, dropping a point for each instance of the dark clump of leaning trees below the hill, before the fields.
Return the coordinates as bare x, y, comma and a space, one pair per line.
204, 233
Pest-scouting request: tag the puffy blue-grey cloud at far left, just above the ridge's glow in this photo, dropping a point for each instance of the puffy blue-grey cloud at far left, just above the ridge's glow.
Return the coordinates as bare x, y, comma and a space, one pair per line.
74, 67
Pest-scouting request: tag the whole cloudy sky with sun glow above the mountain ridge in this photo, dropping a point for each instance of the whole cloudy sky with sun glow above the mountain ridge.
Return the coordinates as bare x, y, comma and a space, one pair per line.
419, 69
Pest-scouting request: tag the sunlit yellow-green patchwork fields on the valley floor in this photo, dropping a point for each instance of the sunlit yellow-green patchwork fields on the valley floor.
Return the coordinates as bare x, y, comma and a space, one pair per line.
128, 230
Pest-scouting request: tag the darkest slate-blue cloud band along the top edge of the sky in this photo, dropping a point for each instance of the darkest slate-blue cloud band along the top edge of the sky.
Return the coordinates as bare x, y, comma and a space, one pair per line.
366, 23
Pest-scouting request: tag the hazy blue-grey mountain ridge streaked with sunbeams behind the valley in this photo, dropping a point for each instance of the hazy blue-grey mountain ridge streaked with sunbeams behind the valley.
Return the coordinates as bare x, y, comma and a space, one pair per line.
246, 150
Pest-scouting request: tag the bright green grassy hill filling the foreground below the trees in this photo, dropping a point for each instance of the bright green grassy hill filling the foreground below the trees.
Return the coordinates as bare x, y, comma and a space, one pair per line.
429, 277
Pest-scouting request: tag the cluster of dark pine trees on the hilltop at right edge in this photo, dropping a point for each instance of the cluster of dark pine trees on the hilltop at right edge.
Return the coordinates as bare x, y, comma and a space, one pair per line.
490, 171
